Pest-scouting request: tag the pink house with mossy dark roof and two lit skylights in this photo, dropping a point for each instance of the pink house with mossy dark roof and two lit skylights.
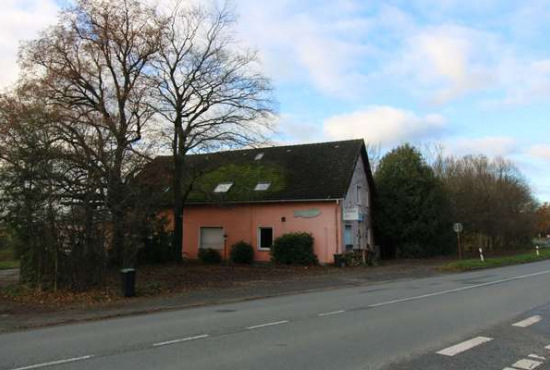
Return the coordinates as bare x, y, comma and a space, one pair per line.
256, 195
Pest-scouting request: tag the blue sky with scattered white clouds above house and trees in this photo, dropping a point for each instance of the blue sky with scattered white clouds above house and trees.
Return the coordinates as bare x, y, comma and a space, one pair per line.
473, 76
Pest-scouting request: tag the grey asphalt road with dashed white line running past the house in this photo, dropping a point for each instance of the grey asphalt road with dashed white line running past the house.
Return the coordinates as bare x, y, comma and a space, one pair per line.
368, 327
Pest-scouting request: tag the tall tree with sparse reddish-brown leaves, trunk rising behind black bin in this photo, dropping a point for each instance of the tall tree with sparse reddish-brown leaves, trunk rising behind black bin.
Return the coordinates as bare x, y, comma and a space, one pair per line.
93, 66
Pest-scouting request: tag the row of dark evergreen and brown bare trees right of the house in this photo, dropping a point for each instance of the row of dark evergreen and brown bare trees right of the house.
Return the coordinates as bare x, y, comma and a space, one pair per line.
417, 203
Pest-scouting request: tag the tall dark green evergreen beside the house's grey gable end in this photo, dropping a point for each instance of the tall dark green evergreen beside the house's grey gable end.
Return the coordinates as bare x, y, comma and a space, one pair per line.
412, 207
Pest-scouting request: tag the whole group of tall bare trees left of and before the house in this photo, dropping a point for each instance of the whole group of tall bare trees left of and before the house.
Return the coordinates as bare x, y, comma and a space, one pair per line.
107, 88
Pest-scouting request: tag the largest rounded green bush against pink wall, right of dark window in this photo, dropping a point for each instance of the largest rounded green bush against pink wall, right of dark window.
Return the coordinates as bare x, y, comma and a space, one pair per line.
294, 249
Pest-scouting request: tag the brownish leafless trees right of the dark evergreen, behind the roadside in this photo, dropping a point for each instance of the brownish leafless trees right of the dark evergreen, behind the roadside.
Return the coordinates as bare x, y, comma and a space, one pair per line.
491, 198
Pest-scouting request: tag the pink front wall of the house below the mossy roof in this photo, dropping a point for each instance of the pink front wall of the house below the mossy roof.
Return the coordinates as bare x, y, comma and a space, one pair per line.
260, 224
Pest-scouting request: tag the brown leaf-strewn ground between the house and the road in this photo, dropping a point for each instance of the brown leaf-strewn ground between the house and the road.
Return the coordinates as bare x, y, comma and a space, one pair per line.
158, 280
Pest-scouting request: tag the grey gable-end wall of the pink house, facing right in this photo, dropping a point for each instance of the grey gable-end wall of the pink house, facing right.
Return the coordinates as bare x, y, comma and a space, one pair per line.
359, 196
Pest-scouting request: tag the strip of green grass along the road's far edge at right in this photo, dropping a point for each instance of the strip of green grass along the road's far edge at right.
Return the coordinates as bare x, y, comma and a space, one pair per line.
476, 264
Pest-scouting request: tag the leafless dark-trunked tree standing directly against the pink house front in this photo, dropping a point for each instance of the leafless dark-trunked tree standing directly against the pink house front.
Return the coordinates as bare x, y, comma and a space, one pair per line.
209, 91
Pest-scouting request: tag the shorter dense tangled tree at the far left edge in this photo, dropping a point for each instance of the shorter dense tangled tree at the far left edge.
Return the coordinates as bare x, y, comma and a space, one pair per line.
48, 197
